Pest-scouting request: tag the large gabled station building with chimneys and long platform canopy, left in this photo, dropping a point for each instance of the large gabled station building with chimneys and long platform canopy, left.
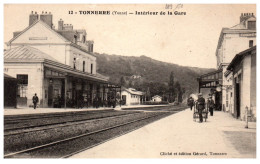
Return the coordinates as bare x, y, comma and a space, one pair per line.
53, 63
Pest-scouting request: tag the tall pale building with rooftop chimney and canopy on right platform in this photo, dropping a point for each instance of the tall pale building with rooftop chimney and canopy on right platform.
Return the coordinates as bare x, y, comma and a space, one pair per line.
231, 41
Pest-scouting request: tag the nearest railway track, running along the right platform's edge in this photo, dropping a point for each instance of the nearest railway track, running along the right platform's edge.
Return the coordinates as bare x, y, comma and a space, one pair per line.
66, 147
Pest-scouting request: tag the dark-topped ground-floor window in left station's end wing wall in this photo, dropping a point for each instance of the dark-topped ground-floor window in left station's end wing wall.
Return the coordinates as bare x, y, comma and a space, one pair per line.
22, 83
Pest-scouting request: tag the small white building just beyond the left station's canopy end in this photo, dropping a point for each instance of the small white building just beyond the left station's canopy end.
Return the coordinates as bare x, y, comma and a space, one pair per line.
131, 96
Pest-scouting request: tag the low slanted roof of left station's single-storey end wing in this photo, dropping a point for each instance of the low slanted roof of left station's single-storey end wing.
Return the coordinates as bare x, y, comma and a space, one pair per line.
26, 53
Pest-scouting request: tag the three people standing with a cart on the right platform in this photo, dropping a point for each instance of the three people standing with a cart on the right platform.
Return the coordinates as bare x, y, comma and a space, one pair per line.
201, 104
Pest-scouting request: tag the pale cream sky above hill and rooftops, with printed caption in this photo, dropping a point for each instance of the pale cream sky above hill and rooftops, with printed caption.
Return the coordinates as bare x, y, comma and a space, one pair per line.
187, 40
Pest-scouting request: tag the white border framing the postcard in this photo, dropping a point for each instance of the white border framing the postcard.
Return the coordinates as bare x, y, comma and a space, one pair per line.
124, 161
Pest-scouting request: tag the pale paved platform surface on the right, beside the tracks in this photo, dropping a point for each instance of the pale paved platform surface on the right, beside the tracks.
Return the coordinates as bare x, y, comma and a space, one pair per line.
178, 136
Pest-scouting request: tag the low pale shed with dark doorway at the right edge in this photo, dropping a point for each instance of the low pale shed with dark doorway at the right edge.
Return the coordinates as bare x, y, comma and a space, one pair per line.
243, 71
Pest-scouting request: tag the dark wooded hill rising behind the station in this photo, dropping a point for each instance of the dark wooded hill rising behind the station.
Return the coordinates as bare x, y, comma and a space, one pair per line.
143, 72
